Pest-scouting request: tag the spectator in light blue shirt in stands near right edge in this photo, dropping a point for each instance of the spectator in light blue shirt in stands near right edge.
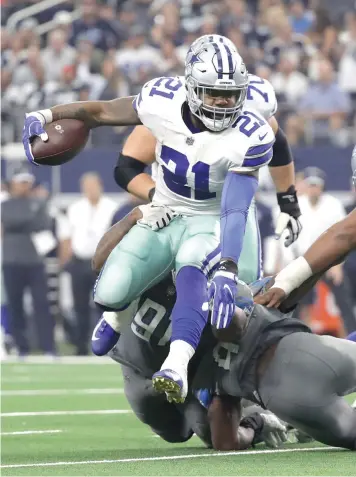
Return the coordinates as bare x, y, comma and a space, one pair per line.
325, 106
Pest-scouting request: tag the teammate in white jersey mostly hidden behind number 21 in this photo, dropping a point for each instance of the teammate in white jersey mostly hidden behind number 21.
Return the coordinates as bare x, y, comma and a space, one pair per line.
139, 152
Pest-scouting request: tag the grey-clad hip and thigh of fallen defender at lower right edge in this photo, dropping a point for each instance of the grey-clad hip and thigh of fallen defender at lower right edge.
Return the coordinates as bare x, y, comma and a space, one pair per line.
304, 383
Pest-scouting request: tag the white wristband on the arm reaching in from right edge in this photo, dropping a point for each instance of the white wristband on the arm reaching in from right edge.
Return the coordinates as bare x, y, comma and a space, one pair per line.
293, 275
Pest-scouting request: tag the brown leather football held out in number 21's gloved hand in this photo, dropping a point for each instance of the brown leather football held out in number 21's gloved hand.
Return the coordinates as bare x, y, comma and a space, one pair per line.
66, 138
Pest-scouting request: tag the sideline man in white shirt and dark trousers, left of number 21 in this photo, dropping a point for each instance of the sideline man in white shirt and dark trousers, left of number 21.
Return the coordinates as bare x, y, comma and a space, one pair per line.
89, 218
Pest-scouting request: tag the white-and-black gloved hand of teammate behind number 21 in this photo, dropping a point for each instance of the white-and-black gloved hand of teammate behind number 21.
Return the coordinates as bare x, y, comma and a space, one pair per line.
288, 218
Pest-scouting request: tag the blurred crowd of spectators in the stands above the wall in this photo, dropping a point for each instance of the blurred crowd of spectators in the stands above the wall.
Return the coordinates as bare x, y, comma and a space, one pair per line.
305, 48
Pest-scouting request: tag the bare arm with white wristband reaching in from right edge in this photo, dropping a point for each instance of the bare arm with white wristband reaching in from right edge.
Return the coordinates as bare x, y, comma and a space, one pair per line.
328, 250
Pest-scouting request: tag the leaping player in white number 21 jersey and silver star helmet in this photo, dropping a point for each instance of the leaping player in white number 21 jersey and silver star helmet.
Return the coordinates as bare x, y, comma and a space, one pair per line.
209, 149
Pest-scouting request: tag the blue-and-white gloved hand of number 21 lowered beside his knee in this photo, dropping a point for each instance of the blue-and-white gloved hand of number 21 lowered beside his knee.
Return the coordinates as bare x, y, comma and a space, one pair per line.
221, 294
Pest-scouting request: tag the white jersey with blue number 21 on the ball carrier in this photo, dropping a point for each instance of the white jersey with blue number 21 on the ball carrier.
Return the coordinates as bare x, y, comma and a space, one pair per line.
192, 166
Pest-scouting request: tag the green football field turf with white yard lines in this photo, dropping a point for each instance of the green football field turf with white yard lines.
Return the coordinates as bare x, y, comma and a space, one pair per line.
73, 419
